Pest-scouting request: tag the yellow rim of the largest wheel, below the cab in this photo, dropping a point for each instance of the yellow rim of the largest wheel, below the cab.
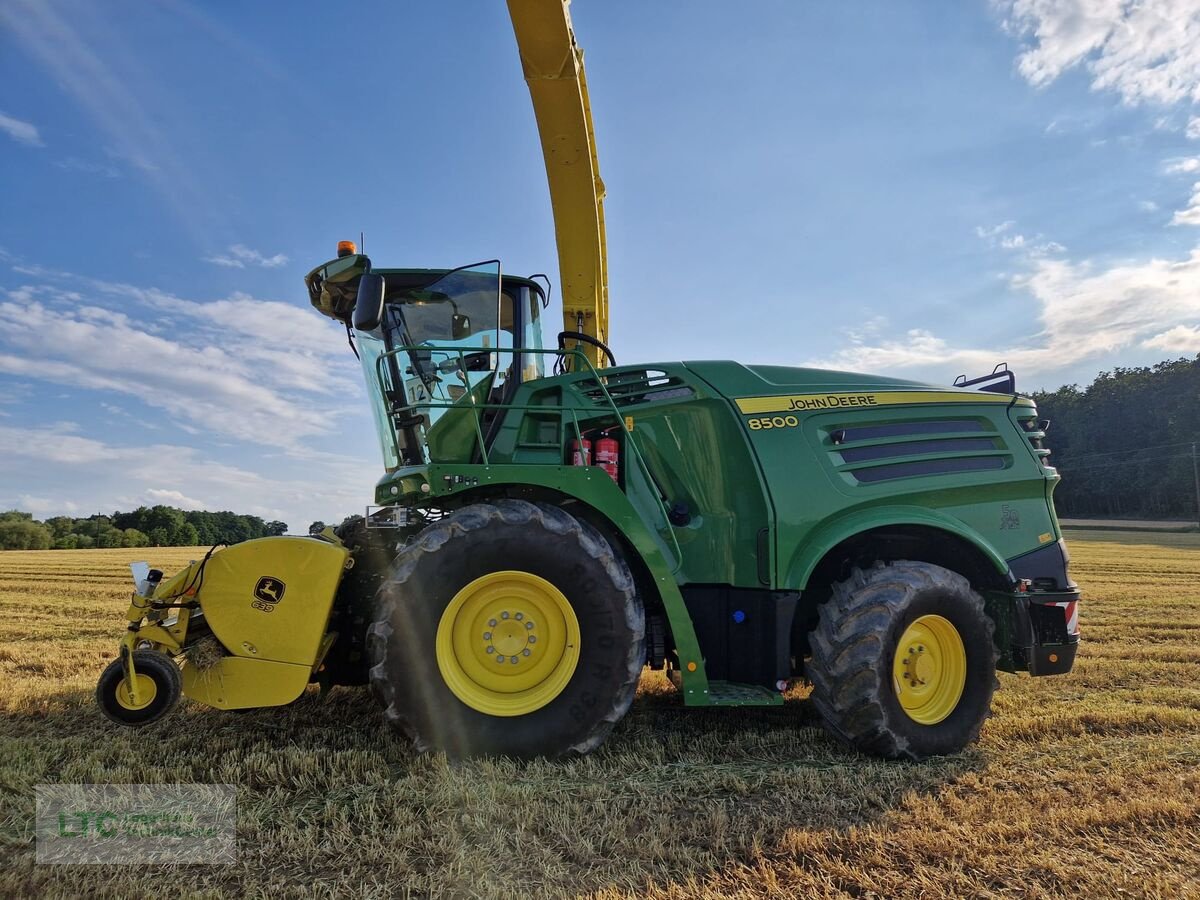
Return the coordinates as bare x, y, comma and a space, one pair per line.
508, 644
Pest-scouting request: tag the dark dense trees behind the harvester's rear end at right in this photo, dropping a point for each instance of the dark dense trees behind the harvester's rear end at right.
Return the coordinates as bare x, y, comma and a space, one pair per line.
1124, 445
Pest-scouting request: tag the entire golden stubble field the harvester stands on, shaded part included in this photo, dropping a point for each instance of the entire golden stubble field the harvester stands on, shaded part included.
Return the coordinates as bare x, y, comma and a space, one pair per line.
1083, 785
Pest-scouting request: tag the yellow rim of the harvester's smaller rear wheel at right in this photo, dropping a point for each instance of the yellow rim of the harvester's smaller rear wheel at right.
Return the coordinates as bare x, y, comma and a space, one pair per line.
929, 670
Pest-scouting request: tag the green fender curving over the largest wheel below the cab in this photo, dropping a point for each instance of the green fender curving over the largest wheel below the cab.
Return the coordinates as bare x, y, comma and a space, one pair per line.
589, 485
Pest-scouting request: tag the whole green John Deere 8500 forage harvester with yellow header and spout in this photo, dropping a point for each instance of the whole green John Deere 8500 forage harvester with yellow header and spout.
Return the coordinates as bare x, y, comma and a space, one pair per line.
550, 523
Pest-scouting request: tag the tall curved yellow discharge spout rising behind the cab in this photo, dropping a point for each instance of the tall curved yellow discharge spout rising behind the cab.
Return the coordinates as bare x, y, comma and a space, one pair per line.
554, 69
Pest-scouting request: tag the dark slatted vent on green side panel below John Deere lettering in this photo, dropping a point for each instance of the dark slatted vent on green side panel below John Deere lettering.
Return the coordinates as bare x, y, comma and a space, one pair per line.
871, 454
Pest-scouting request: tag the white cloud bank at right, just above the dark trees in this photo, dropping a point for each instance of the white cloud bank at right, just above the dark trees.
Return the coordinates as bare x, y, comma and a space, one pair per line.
1087, 313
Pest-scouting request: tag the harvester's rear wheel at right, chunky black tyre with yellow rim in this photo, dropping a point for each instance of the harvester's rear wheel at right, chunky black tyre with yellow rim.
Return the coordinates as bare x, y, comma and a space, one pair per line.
874, 679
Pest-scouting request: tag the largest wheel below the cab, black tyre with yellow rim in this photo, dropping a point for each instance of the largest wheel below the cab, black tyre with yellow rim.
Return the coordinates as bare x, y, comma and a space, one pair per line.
508, 629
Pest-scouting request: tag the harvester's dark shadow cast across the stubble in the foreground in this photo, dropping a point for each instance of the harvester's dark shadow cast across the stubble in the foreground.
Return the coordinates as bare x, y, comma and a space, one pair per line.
673, 795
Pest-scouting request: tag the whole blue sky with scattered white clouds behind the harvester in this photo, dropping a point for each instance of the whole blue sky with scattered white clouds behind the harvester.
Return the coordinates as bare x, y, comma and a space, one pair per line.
911, 189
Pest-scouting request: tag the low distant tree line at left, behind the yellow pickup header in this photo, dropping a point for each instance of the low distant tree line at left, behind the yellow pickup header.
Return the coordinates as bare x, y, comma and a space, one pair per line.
145, 527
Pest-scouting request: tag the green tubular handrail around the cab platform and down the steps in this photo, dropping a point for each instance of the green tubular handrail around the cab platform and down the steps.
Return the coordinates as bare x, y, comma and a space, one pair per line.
589, 374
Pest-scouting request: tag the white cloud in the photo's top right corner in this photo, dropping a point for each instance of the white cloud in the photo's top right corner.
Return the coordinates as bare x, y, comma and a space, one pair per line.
1147, 52
